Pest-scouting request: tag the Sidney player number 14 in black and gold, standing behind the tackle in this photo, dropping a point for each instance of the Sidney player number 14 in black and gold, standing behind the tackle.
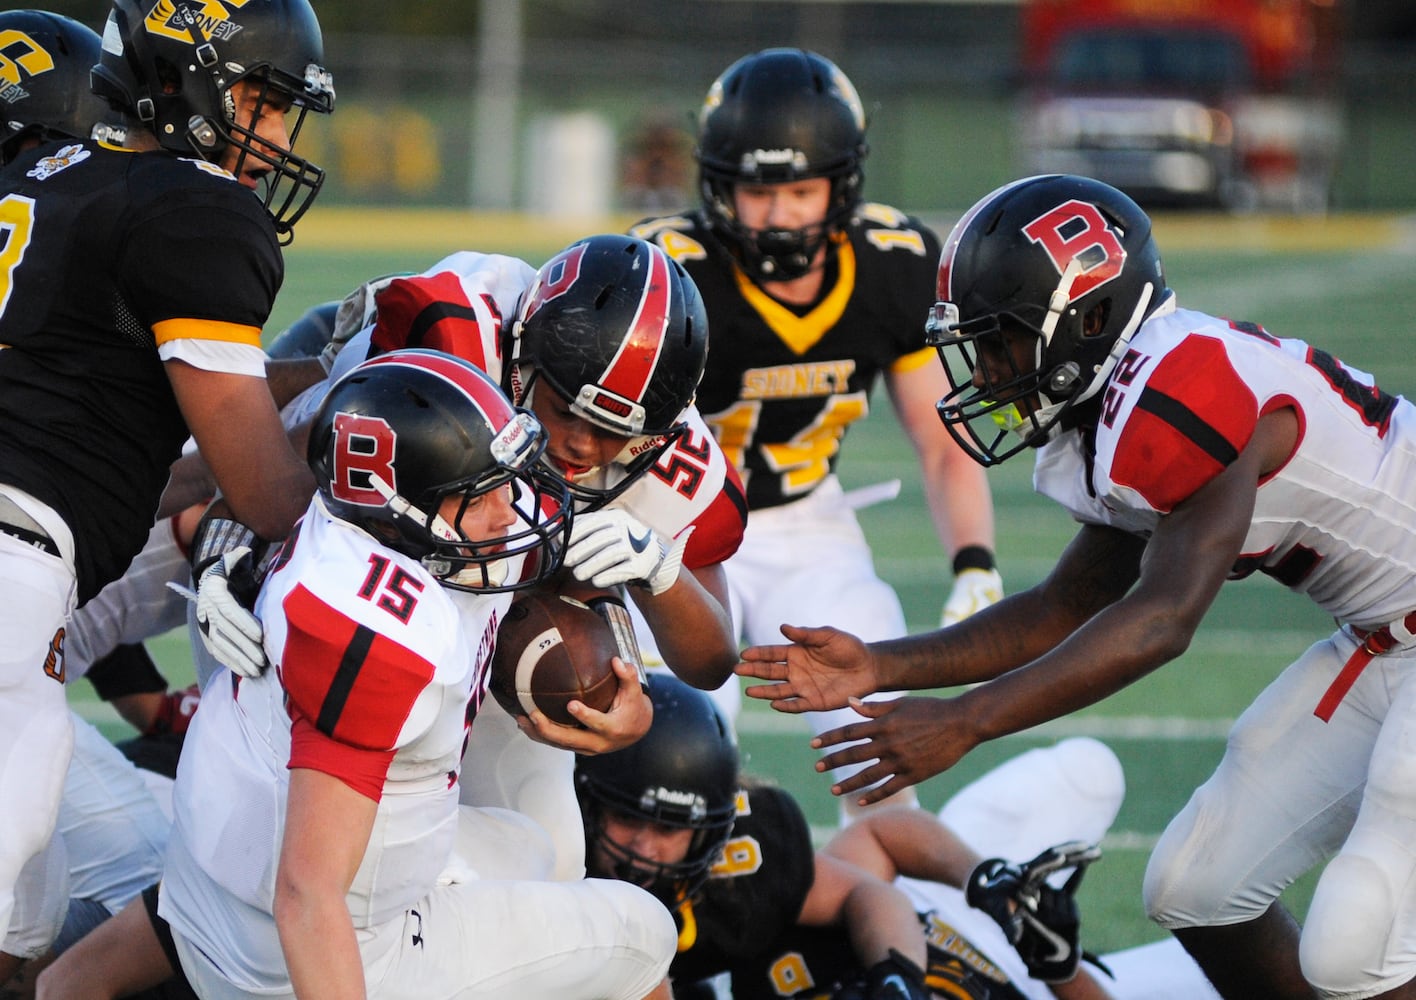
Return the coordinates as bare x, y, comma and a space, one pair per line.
813, 298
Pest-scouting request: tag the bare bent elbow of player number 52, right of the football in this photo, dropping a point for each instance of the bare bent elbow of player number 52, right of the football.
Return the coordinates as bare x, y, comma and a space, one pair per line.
693, 627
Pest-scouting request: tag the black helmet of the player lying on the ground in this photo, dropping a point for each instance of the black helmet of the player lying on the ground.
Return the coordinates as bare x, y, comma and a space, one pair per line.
682, 774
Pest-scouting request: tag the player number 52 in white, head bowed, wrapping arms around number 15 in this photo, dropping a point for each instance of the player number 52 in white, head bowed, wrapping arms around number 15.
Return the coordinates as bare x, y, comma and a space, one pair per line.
605, 343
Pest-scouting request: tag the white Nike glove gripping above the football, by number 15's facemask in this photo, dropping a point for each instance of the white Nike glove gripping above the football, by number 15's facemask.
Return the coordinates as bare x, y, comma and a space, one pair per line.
611, 547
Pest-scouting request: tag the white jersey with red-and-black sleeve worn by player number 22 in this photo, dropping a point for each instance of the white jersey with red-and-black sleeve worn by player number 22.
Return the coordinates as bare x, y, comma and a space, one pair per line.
1335, 522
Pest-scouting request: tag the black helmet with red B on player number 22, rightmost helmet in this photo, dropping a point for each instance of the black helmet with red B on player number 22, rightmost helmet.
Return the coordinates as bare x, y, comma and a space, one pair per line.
1041, 287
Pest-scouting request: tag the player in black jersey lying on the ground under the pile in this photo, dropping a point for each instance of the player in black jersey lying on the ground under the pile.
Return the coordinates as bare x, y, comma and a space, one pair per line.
733, 859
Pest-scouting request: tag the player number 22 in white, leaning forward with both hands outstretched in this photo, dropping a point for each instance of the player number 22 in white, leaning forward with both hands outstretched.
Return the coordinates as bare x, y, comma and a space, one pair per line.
1193, 451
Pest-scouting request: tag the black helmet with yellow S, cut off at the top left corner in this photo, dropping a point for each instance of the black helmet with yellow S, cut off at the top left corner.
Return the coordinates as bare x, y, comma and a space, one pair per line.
45, 80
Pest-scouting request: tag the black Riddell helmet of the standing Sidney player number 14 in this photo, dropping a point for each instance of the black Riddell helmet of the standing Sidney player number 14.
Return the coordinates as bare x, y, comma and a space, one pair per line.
775, 117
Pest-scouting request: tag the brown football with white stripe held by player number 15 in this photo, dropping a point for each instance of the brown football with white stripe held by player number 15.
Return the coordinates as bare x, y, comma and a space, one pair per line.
553, 649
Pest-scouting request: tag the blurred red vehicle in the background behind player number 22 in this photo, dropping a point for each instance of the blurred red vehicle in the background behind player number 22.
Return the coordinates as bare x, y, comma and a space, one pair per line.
1186, 103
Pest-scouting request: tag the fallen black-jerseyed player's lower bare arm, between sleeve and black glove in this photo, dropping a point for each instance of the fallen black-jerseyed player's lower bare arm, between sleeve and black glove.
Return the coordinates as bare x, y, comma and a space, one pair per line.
876, 914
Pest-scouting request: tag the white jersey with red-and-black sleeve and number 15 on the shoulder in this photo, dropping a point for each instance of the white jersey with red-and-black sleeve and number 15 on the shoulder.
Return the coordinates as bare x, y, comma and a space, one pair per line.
376, 674
